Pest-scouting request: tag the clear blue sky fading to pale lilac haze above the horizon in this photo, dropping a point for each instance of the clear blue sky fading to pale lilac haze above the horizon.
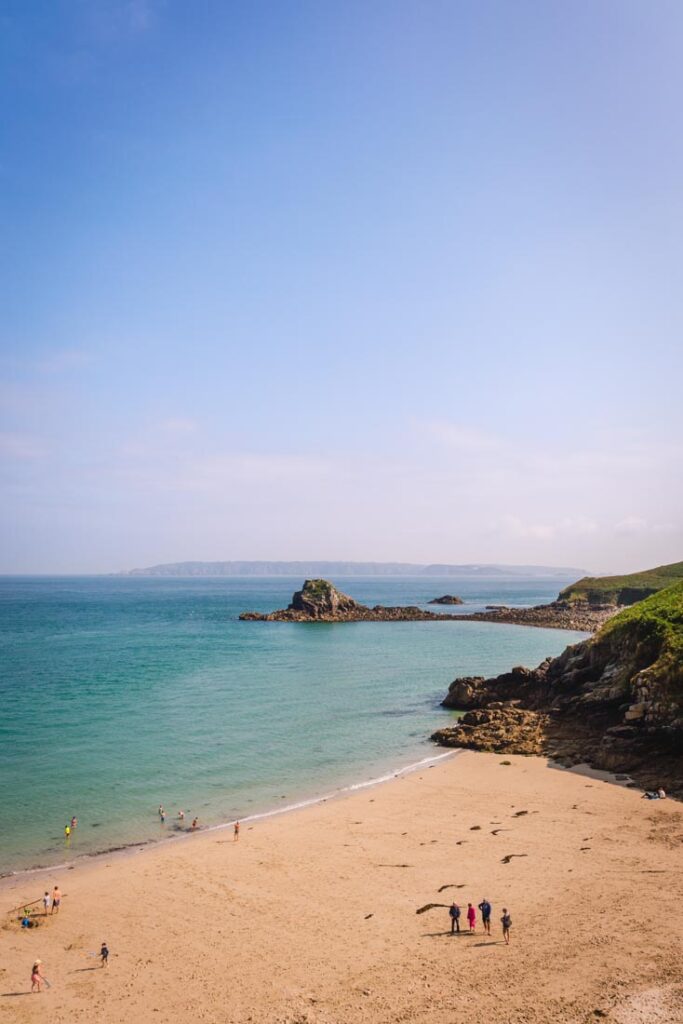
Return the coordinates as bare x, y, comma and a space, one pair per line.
387, 281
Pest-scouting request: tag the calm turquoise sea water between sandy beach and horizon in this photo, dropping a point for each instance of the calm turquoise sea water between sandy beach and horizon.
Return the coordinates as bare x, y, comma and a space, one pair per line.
119, 695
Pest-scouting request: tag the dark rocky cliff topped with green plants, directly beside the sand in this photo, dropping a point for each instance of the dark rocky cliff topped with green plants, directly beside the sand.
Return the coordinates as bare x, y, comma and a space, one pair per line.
615, 701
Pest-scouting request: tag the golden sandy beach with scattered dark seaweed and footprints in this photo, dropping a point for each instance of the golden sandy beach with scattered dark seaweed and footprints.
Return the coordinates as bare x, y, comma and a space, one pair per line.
312, 917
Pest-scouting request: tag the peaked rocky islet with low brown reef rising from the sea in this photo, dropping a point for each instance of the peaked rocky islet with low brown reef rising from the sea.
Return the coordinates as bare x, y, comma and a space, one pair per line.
320, 602
